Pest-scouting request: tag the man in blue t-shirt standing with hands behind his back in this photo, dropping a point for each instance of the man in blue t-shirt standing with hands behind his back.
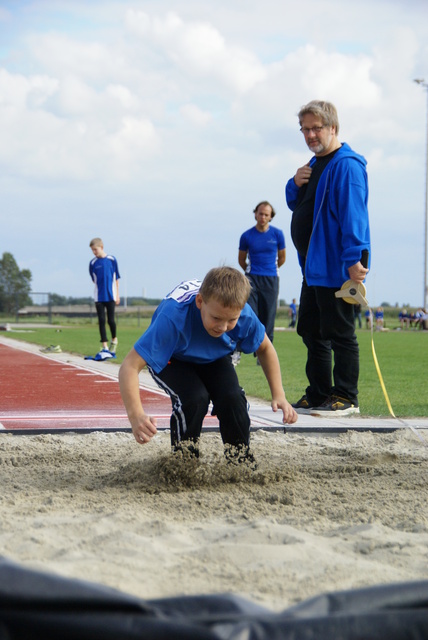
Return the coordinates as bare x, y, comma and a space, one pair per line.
261, 254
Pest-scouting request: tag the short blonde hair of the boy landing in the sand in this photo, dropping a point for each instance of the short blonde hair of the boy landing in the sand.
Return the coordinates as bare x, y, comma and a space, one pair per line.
226, 285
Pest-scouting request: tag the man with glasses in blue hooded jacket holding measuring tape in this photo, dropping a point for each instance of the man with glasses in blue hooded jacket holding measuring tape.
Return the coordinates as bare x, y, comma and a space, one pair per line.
330, 230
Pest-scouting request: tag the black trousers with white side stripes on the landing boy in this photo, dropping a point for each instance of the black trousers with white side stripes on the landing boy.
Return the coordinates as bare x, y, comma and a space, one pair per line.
192, 386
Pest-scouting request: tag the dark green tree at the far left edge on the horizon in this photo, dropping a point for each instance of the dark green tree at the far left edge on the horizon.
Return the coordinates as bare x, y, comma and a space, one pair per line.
15, 285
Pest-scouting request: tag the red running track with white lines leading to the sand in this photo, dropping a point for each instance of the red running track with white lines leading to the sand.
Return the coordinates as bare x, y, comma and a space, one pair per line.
41, 393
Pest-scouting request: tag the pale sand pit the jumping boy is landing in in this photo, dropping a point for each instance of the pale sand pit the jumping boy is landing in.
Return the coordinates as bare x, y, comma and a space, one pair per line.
319, 514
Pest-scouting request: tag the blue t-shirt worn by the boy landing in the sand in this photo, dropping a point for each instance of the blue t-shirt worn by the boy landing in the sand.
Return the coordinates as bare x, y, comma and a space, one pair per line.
176, 331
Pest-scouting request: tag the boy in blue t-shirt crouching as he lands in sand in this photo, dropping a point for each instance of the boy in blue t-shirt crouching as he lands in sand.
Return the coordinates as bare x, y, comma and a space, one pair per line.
187, 350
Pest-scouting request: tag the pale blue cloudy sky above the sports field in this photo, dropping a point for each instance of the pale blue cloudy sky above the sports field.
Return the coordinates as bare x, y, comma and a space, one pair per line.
159, 126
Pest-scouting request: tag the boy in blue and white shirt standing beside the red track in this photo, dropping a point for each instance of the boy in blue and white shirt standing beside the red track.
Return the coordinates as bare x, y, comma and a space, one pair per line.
104, 272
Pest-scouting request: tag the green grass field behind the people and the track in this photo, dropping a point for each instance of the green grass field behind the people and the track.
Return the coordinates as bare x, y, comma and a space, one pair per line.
402, 357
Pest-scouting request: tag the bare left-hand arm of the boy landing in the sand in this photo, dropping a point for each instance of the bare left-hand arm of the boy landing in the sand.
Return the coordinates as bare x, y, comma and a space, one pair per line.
143, 426
